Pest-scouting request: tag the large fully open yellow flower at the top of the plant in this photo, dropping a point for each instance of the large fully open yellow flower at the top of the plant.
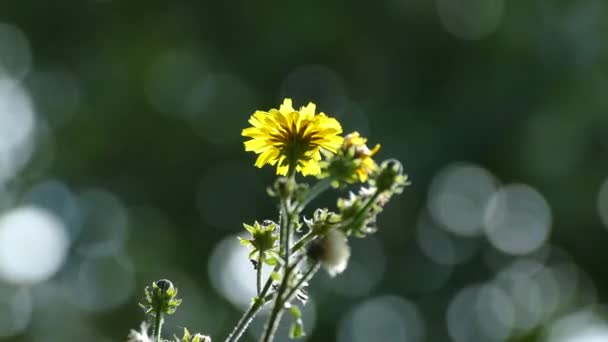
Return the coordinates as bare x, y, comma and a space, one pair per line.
292, 138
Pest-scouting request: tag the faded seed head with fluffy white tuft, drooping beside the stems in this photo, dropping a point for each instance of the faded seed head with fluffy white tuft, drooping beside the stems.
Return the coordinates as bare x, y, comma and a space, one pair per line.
332, 251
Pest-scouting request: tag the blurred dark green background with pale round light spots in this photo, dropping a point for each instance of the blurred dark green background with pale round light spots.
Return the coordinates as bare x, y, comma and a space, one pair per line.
121, 162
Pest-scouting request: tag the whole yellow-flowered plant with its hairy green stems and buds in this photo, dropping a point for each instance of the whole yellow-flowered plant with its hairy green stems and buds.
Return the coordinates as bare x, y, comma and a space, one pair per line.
297, 245
